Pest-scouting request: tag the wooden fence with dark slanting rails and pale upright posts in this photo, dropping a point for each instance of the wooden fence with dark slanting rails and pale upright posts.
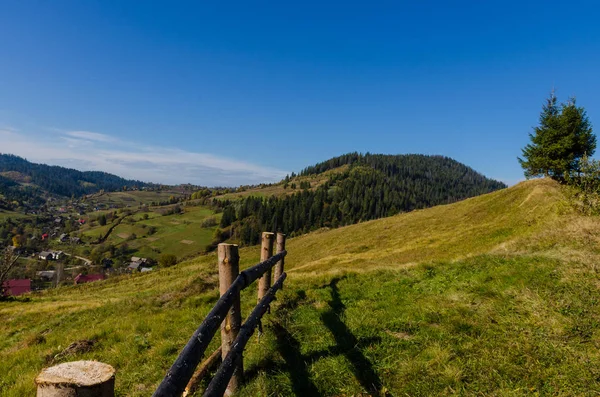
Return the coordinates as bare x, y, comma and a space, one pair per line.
234, 337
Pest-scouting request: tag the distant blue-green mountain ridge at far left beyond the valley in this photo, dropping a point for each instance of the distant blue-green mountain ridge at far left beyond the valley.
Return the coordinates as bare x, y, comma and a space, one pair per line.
21, 180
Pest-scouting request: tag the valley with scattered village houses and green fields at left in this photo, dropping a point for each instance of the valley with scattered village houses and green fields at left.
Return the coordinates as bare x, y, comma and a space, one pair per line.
64, 242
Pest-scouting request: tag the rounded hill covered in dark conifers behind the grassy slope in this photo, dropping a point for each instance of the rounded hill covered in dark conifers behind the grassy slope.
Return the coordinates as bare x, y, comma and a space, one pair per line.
370, 186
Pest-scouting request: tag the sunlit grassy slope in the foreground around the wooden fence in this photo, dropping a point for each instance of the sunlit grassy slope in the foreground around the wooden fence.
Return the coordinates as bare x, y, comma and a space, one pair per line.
495, 295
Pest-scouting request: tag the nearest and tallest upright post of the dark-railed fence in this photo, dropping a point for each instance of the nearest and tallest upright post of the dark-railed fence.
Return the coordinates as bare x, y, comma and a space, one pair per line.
229, 269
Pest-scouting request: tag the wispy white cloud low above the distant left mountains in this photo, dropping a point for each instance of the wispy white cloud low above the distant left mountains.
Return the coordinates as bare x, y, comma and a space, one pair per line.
86, 150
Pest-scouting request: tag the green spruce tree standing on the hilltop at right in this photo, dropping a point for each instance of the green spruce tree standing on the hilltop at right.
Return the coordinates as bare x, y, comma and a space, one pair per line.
559, 143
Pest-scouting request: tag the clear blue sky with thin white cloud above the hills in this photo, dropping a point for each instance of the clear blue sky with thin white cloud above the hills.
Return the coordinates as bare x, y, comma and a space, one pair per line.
225, 93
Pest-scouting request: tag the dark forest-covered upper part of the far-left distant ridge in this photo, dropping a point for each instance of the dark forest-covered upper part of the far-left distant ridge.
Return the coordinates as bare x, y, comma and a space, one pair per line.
58, 180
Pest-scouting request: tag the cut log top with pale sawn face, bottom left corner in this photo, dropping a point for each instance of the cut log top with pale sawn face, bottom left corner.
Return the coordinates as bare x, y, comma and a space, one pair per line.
77, 379
